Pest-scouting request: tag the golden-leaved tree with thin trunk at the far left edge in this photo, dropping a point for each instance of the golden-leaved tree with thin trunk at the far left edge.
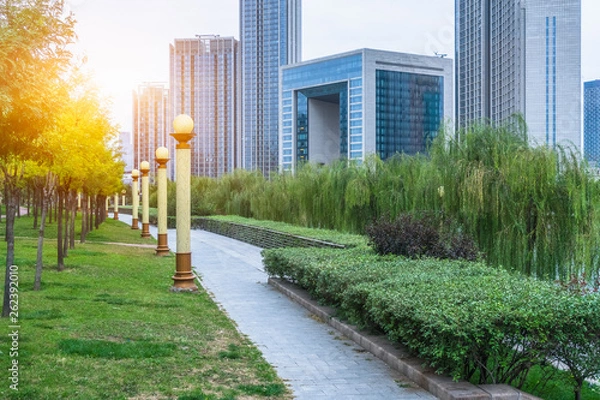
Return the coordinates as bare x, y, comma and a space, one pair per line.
34, 35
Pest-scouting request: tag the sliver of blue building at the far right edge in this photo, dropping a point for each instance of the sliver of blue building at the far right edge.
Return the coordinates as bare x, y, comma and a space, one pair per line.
591, 122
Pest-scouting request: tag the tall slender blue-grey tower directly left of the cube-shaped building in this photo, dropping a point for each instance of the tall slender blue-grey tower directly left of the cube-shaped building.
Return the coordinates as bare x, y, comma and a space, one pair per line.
270, 32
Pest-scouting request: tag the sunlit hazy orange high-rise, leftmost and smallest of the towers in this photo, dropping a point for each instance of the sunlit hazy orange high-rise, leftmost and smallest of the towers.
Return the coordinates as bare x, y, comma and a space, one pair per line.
150, 113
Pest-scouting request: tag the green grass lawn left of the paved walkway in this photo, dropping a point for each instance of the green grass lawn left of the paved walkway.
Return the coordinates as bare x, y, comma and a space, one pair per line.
109, 328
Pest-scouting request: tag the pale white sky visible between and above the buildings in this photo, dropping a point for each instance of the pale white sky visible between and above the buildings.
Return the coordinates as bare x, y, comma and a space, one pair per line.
126, 42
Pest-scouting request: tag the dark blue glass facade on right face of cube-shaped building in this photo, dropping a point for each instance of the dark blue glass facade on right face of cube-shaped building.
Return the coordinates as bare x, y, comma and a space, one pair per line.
410, 109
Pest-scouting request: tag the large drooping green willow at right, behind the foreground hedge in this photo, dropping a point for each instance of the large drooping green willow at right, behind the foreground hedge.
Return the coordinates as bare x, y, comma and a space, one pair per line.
531, 208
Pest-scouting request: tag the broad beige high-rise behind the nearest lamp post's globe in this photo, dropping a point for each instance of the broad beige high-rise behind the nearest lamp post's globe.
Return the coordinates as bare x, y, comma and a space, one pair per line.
204, 76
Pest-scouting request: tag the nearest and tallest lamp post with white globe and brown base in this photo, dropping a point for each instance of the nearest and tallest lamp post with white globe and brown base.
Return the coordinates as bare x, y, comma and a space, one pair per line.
183, 280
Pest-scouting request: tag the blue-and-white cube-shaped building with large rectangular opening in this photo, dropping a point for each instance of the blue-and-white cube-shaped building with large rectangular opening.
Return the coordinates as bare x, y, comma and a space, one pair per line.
362, 102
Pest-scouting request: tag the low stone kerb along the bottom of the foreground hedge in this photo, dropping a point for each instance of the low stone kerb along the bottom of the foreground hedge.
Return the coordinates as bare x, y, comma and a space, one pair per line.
398, 357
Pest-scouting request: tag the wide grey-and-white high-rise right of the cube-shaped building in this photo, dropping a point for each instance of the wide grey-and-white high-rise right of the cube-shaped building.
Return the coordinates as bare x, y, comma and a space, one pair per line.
517, 56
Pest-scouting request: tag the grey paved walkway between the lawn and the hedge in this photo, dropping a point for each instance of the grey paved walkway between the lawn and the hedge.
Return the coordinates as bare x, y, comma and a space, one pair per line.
310, 356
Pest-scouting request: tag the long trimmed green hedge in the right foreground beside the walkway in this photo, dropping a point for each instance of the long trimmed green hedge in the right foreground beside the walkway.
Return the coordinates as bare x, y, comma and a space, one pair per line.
464, 318
